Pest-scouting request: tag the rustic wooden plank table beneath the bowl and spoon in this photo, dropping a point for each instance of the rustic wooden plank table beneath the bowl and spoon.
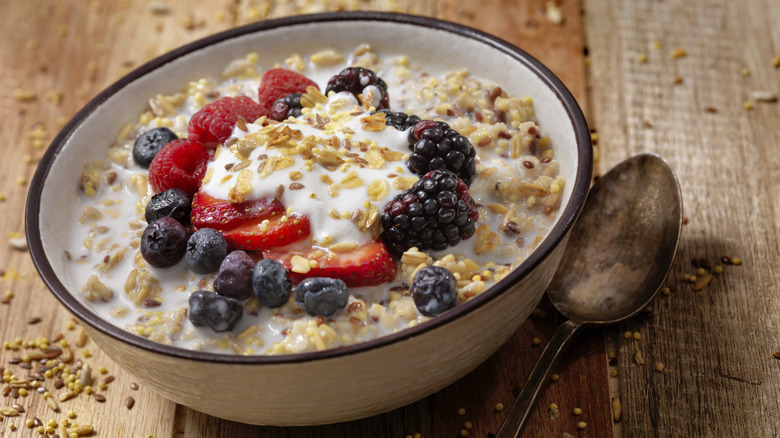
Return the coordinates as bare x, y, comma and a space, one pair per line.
692, 81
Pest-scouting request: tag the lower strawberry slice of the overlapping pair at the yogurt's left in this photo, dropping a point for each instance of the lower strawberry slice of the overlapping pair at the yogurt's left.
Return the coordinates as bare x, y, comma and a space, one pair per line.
280, 230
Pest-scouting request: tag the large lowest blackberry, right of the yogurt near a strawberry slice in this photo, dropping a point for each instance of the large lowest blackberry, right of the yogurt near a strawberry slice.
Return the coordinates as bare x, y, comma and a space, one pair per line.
435, 213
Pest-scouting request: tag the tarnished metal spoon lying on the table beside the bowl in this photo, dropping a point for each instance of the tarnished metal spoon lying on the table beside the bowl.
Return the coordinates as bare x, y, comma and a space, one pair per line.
619, 252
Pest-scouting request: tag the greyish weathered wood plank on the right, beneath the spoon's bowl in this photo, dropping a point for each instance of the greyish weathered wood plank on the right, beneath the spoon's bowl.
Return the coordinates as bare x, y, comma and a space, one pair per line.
716, 345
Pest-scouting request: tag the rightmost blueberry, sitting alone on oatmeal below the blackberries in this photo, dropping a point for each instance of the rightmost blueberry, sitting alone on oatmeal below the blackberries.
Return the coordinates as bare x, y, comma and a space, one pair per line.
434, 290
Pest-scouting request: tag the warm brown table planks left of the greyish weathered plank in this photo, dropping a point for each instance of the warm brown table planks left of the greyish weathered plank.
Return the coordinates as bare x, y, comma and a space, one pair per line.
73, 49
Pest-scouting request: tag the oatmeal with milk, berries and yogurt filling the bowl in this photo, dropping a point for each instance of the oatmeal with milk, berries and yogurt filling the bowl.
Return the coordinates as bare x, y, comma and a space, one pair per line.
377, 194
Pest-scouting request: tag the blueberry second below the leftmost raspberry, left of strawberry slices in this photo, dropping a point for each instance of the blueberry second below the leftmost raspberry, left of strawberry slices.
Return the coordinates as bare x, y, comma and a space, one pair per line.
163, 242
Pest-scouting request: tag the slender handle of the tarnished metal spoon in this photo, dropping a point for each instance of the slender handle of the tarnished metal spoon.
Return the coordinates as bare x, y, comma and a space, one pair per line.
518, 413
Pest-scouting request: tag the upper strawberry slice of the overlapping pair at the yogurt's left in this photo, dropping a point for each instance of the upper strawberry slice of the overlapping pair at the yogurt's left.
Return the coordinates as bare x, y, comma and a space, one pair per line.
209, 212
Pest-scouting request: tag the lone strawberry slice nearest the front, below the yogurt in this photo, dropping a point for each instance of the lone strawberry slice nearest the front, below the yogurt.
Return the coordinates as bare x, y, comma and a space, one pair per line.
367, 265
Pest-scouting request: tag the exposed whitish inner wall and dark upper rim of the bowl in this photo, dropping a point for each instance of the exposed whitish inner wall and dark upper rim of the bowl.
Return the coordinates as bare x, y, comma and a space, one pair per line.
434, 45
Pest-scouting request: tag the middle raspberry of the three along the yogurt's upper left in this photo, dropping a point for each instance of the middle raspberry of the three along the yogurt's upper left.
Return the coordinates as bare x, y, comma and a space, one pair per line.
214, 122
